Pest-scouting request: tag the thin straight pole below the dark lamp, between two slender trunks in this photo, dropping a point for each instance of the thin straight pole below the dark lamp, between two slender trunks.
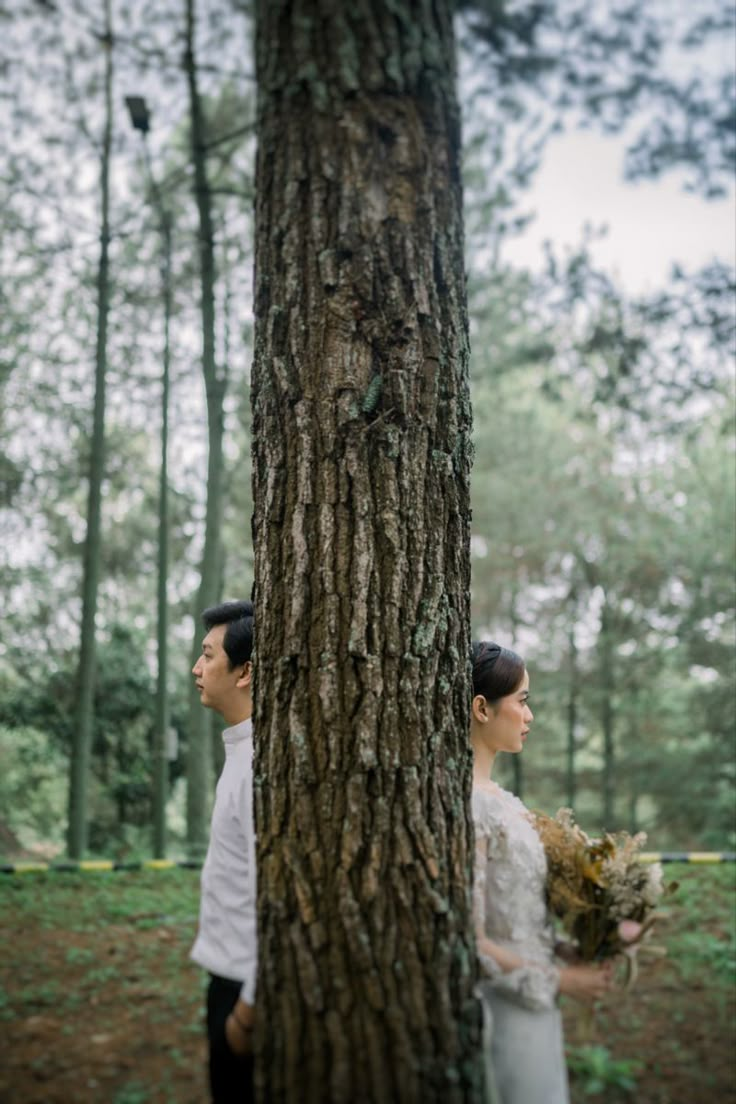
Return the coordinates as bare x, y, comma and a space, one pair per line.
161, 758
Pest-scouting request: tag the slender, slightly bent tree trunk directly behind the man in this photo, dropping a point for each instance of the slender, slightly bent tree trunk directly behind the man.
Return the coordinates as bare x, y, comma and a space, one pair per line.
200, 721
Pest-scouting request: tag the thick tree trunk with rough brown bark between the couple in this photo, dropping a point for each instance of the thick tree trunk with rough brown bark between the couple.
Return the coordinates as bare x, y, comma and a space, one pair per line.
361, 529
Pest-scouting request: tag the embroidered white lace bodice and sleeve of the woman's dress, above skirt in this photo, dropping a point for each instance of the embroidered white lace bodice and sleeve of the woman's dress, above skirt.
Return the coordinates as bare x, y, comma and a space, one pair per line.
509, 903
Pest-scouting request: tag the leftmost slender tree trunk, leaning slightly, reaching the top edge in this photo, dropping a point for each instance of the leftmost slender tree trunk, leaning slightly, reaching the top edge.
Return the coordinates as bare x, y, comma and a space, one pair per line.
86, 698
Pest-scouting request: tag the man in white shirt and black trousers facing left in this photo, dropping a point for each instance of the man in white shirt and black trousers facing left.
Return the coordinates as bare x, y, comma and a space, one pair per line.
227, 942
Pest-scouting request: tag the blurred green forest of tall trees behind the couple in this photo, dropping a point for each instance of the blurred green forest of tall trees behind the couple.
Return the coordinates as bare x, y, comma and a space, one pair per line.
604, 486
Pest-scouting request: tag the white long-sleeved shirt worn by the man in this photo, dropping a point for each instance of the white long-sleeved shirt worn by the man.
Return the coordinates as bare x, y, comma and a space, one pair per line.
227, 943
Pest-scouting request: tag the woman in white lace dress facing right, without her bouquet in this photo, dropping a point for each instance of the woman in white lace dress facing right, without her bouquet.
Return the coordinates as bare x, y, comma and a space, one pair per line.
516, 939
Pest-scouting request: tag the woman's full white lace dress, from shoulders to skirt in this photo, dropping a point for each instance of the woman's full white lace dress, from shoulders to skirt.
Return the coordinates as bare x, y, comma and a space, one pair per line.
528, 1059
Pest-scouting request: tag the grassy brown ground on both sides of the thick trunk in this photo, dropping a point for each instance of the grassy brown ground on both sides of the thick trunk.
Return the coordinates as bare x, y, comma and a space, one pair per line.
99, 1002
